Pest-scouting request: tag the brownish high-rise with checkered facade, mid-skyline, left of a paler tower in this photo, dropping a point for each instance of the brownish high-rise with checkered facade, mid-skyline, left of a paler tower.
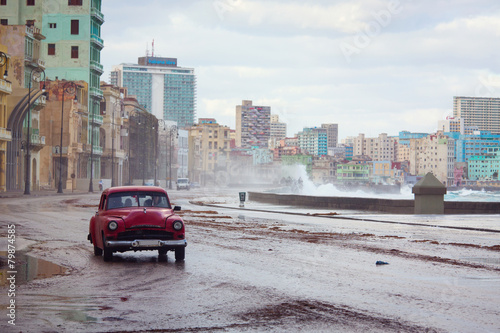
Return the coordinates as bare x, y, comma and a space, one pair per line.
253, 125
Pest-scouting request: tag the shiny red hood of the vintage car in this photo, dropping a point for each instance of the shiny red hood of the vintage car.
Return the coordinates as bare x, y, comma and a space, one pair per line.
143, 217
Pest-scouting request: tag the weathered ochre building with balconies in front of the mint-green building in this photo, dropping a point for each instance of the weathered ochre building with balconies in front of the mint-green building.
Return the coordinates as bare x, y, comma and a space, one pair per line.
25, 70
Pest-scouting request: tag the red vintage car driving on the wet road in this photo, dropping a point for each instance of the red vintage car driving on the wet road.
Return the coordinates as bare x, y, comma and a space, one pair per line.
136, 218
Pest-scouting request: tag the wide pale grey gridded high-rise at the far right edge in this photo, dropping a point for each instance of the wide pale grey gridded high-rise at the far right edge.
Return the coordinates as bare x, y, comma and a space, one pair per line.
480, 112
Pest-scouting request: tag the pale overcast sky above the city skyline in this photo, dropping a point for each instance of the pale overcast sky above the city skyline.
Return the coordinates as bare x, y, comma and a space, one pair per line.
371, 66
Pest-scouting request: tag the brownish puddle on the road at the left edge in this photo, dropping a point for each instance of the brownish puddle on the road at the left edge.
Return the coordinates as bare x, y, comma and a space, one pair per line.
28, 268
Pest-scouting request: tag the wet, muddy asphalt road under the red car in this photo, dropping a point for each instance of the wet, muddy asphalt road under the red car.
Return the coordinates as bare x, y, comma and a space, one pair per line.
252, 272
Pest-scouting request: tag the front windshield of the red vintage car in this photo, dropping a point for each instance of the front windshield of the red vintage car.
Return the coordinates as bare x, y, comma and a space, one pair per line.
137, 199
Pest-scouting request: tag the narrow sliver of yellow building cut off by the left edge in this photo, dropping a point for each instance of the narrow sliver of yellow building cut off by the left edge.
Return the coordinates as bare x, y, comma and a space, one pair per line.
5, 134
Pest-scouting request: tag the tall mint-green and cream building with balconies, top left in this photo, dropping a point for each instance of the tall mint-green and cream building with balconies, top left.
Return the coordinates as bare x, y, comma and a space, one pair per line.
71, 51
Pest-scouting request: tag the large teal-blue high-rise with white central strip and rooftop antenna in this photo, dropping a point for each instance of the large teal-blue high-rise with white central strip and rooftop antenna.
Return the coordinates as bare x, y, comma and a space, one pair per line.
161, 87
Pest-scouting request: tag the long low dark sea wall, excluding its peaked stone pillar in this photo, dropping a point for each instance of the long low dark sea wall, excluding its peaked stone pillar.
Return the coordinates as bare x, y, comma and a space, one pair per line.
371, 204
